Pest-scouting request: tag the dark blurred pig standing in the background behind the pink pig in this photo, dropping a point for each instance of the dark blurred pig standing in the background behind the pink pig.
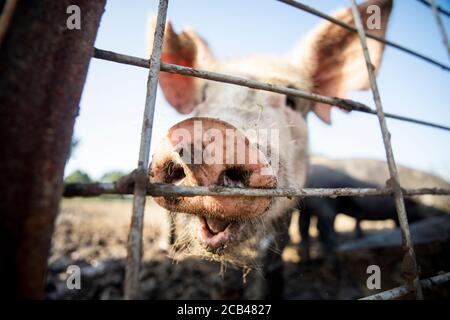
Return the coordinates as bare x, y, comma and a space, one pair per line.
368, 208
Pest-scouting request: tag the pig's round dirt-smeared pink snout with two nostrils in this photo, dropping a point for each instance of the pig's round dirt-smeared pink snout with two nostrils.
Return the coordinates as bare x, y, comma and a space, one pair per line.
213, 153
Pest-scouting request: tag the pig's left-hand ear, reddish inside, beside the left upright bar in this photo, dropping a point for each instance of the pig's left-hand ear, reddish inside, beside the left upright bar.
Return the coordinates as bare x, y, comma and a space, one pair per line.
185, 49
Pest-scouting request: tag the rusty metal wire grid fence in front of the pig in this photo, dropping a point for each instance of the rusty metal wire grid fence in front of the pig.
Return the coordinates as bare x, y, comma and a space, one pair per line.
142, 188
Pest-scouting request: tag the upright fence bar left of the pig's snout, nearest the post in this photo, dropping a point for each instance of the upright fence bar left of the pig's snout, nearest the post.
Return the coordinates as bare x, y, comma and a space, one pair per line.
134, 245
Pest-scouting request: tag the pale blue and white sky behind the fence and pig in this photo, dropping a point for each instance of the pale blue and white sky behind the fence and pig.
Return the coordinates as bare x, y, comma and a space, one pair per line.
111, 108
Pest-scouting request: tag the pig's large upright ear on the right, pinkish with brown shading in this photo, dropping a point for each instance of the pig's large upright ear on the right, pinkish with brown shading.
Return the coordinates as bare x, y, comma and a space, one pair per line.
334, 58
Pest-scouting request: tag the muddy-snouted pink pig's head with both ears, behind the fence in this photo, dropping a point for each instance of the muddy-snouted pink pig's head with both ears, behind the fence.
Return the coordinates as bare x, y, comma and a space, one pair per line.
328, 62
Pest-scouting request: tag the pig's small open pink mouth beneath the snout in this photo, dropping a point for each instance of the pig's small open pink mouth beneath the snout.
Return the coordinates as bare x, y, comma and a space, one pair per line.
216, 233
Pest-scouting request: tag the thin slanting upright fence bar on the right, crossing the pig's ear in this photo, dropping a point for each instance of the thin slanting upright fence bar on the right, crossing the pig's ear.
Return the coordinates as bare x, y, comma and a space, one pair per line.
409, 263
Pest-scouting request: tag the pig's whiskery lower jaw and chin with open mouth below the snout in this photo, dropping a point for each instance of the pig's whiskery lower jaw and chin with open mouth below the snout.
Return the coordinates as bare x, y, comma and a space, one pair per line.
234, 242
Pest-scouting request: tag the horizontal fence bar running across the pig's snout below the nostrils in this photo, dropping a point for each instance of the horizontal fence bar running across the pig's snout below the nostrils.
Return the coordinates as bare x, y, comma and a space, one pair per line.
156, 189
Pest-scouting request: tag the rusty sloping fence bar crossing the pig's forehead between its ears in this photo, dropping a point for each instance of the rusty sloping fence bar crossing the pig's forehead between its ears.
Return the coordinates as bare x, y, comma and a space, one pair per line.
346, 104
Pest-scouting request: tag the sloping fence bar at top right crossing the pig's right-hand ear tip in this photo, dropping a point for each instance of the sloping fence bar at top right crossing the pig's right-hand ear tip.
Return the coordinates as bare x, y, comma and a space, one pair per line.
347, 26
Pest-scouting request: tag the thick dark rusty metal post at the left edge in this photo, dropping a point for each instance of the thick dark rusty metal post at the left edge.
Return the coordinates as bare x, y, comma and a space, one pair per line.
43, 67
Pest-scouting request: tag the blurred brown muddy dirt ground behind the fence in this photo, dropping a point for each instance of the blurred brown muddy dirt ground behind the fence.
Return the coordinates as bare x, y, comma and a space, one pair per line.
92, 234
